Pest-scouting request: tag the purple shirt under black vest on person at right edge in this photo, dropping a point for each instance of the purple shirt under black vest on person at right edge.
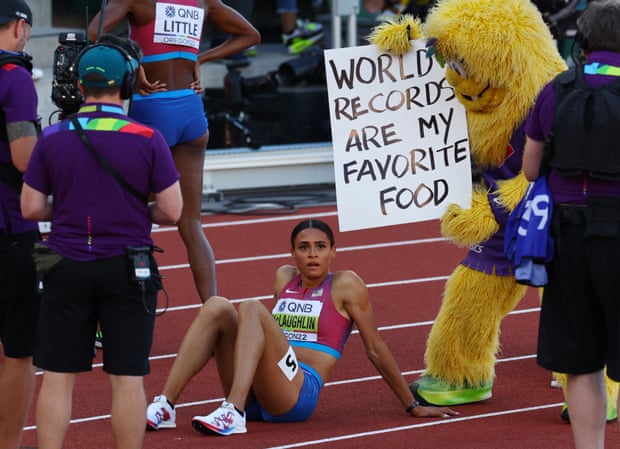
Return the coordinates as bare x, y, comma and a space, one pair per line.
571, 189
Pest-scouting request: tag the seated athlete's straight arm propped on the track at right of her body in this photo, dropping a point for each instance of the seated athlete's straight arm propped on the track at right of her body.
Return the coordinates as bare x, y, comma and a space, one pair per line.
350, 292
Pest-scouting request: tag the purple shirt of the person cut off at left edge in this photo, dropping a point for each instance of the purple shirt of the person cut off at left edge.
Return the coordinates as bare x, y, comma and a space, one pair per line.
18, 101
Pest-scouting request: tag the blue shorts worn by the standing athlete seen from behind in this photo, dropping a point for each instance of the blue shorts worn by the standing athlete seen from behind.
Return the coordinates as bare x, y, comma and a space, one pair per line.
178, 114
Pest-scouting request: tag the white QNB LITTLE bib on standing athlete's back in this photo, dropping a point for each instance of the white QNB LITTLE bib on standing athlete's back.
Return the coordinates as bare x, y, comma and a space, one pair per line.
178, 25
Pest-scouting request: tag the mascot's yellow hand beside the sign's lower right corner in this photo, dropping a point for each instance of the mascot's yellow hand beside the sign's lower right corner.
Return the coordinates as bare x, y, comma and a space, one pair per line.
466, 227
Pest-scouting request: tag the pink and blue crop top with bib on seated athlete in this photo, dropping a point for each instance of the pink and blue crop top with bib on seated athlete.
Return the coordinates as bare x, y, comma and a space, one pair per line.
309, 319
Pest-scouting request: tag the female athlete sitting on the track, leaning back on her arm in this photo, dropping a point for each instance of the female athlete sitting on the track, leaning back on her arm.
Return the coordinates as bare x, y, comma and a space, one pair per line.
272, 365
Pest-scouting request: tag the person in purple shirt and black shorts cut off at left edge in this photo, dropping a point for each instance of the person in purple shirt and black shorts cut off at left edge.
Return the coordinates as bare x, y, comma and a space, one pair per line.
19, 303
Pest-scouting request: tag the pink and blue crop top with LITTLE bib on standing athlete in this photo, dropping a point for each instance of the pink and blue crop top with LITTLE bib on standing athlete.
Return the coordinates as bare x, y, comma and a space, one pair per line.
174, 33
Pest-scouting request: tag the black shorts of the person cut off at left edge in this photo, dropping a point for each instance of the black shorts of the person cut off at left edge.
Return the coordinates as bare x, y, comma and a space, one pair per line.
19, 302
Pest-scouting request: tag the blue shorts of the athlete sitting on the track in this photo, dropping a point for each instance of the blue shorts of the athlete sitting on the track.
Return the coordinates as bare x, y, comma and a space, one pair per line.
306, 403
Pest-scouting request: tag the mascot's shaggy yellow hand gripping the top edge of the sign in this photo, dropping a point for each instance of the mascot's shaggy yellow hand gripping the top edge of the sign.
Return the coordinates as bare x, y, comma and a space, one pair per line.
394, 35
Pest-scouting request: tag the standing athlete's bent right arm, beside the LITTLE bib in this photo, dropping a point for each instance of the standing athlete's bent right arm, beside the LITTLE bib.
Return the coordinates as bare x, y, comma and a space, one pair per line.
242, 33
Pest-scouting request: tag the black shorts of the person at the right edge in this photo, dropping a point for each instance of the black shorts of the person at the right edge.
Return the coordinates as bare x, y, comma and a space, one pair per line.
579, 329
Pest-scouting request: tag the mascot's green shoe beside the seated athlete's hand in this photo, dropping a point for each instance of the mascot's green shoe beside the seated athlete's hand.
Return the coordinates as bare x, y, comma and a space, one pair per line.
429, 390
